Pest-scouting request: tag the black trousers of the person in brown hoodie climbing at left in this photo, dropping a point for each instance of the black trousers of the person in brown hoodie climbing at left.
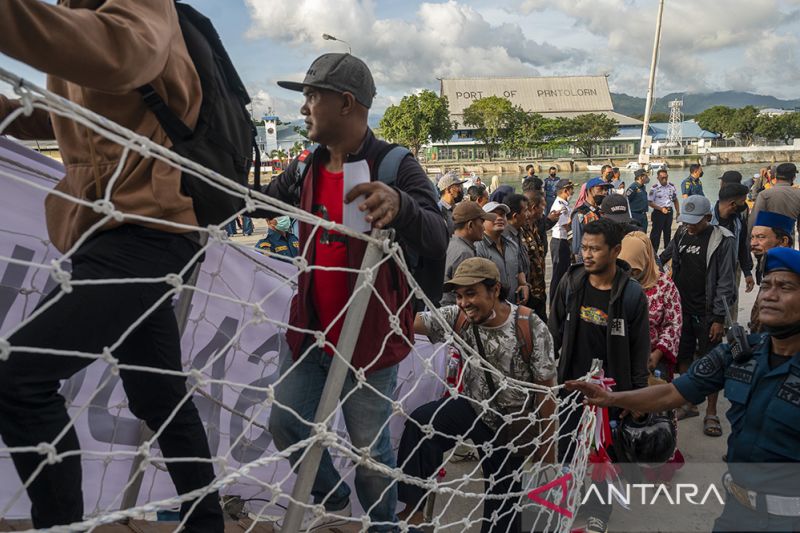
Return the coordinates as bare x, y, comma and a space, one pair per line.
88, 319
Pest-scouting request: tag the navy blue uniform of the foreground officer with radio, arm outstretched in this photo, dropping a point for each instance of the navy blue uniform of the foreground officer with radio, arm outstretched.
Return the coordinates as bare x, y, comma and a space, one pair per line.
765, 428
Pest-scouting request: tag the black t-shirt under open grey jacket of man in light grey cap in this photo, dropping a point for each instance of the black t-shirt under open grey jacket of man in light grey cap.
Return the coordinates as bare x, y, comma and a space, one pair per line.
691, 279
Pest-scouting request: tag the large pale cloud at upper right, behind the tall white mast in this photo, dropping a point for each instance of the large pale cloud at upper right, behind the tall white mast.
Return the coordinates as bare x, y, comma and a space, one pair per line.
705, 45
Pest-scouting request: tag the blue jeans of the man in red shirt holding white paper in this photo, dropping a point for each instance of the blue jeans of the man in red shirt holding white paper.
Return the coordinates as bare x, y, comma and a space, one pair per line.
365, 414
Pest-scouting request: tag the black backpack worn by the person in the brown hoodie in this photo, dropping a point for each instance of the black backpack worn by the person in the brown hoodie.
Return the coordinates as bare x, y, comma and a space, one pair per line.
225, 137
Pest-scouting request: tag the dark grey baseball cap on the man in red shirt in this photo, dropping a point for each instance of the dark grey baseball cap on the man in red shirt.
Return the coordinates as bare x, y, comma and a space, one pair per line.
341, 73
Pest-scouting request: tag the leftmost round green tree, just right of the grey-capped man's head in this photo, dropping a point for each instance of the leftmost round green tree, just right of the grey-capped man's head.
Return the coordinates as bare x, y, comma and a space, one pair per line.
417, 120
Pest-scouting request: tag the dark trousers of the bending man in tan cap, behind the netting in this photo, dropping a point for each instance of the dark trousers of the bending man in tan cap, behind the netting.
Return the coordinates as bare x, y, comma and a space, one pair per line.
421, 456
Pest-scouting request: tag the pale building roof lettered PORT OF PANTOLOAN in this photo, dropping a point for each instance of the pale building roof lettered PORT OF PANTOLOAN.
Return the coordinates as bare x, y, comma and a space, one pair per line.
582, 94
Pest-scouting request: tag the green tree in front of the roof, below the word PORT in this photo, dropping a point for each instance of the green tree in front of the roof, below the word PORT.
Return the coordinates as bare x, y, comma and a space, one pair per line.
495, 120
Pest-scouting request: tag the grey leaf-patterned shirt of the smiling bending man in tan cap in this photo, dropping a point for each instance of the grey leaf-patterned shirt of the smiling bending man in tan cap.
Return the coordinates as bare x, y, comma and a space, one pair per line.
503, 351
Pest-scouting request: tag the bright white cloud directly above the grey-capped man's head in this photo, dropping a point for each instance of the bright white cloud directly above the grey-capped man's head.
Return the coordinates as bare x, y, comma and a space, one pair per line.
447, 39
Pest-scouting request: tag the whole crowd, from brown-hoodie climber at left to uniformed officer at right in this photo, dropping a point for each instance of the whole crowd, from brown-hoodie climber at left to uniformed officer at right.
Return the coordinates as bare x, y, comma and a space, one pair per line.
612, 296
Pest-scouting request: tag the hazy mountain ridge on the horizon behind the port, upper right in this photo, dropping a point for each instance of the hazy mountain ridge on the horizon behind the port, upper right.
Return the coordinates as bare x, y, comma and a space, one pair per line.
694, 103
